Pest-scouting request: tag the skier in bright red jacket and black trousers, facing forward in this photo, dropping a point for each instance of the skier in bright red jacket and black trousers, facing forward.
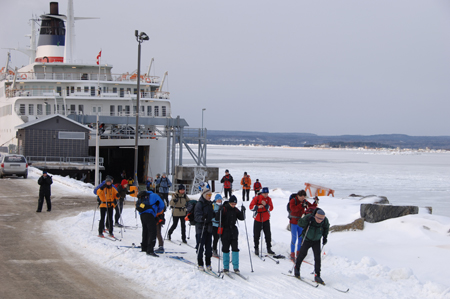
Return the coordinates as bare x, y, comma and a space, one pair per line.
262, 204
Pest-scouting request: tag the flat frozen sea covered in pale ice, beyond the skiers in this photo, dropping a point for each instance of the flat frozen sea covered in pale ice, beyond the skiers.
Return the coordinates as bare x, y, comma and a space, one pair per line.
405, 178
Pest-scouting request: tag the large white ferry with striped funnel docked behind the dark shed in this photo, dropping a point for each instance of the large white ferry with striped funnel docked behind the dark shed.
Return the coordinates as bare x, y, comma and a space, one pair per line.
54, 83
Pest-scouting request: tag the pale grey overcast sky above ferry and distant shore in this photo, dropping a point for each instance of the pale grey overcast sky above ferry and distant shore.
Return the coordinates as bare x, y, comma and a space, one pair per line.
325, 67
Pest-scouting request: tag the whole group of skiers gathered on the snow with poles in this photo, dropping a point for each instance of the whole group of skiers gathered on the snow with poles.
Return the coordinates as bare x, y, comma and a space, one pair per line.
215, 221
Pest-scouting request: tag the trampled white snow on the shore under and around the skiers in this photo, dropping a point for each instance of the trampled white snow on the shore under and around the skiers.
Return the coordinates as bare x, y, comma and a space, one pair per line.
406, 257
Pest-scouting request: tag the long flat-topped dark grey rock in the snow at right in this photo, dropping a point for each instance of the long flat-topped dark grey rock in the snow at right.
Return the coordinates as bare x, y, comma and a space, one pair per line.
373, 213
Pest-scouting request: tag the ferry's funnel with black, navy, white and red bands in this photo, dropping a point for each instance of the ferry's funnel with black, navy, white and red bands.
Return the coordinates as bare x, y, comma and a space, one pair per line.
52, 36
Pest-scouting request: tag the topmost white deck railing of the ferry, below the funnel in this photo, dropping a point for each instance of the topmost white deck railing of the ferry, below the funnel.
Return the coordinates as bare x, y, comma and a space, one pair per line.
83, 76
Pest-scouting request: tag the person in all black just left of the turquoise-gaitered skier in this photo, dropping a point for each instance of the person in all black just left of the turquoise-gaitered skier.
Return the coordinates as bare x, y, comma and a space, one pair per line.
203, 215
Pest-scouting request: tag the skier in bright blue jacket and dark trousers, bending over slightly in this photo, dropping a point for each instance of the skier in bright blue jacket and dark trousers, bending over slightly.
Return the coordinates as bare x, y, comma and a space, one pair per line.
152, 205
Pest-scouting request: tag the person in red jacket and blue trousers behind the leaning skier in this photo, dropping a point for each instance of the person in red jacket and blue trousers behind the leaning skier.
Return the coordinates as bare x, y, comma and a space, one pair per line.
298, 205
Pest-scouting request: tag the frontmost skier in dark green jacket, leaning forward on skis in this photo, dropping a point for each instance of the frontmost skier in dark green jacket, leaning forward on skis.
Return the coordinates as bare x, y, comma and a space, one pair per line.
315, 226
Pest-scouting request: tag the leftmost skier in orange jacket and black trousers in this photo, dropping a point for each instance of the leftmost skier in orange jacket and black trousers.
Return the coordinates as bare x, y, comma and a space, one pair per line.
108, 199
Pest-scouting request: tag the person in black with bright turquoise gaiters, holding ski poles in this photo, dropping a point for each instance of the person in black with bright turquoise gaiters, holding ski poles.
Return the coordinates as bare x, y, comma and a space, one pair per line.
229, 215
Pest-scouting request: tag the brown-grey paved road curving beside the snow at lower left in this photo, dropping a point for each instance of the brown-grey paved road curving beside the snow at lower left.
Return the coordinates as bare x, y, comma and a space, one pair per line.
32, 265
